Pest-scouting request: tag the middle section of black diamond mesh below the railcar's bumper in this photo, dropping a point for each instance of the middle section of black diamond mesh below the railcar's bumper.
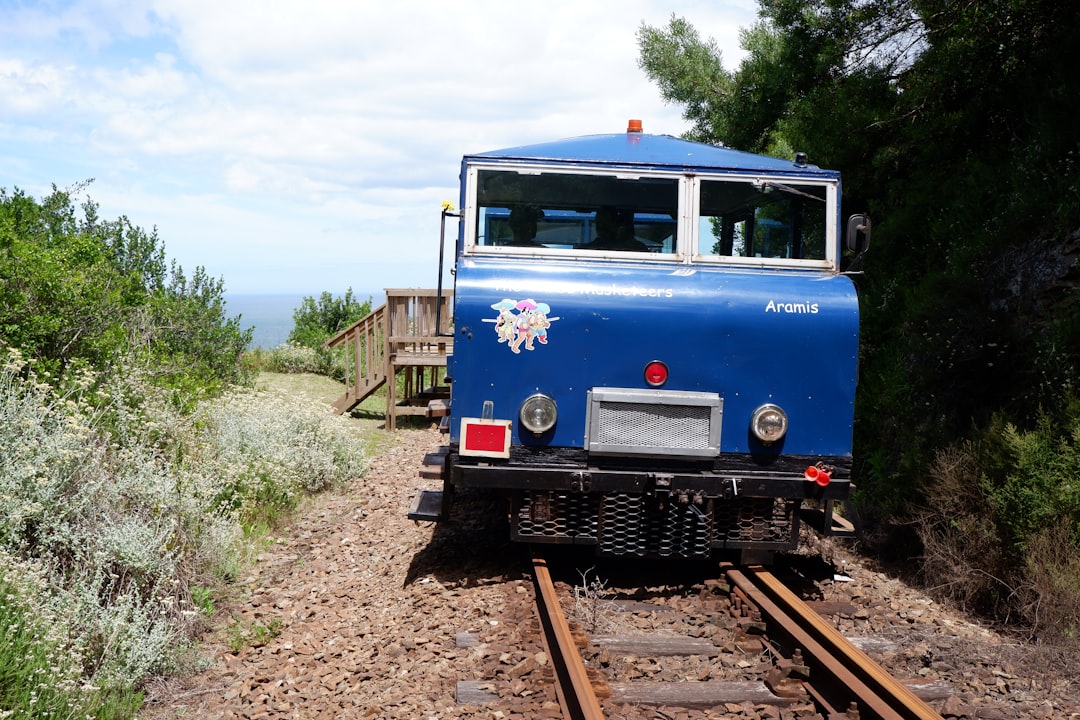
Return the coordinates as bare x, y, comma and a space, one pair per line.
637, 526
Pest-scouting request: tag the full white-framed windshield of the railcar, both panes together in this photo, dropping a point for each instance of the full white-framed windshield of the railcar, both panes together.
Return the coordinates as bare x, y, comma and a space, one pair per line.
682, 218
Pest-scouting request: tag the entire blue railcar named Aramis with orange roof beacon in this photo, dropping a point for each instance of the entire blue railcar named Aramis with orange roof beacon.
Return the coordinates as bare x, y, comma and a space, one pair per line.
655, 348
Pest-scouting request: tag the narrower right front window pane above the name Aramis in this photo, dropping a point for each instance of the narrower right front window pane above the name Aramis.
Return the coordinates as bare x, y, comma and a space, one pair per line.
762, 220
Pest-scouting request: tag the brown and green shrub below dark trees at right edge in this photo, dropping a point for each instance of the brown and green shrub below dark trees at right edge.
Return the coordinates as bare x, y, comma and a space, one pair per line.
1001, 527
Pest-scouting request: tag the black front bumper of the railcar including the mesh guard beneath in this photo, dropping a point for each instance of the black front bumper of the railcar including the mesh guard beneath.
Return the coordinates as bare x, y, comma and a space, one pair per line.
683, 512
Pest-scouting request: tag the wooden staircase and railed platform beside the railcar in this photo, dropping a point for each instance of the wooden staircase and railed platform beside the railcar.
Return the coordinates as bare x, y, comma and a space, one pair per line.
398, 342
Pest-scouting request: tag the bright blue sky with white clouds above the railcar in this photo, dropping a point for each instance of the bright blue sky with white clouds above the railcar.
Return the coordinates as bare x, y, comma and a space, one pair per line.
306, 146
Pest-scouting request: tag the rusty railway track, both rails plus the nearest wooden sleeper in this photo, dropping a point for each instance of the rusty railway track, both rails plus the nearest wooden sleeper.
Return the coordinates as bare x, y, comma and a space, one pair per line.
812, 663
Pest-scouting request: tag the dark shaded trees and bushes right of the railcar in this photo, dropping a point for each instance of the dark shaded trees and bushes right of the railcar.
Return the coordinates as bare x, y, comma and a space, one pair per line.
954, 125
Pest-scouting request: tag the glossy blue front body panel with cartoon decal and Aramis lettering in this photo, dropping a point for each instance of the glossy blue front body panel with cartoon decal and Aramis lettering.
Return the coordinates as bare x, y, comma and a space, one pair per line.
754, 338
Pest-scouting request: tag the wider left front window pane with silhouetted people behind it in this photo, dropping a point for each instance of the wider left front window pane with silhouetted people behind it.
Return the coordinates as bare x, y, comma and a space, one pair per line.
575, 212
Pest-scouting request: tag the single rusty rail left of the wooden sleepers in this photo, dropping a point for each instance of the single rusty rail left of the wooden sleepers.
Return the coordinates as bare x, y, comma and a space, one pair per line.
572, 683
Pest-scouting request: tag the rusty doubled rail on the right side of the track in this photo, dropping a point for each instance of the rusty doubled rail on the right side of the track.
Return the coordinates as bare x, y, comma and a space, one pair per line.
877, 694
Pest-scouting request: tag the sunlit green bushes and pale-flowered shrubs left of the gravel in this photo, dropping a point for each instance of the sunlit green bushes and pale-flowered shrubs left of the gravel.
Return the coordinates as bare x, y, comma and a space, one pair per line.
138, 464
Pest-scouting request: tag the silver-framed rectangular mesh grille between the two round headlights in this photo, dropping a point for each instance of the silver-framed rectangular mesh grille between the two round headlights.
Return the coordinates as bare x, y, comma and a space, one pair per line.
625, 422
